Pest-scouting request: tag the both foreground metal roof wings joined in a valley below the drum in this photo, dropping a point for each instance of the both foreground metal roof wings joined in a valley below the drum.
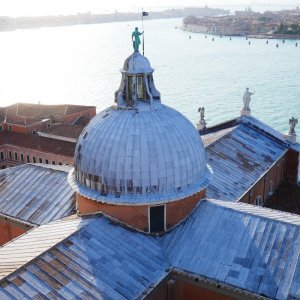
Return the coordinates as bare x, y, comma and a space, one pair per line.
236, 244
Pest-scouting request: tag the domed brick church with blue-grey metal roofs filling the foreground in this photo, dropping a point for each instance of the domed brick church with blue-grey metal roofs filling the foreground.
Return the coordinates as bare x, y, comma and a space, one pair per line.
159, 216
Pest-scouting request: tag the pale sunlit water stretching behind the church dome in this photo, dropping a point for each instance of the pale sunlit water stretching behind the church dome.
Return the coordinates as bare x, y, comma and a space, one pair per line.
79, 65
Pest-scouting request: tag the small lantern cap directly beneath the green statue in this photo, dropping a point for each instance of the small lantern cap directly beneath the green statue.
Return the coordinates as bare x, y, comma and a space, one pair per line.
137, 64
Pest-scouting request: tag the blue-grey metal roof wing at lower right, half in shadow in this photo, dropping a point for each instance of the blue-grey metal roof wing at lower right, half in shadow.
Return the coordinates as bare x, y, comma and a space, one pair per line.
241, 245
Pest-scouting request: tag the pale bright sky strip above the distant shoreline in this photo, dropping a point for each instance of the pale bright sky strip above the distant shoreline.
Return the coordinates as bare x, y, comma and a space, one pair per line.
15, 8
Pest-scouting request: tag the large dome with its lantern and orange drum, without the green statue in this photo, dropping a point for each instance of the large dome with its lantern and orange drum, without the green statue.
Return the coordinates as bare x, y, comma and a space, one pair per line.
139, 161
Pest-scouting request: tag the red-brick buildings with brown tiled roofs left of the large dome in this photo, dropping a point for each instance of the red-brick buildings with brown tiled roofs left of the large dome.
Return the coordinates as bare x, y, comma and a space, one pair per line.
35, 133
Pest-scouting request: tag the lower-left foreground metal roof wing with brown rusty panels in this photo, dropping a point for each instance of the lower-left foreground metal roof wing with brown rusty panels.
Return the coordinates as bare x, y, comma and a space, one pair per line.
89, 264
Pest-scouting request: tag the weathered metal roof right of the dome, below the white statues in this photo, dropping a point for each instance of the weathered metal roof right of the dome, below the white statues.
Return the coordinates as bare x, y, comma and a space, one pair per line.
239, 156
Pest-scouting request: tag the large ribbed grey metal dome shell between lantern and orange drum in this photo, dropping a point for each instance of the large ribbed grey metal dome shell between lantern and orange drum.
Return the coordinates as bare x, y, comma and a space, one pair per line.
145, 156
